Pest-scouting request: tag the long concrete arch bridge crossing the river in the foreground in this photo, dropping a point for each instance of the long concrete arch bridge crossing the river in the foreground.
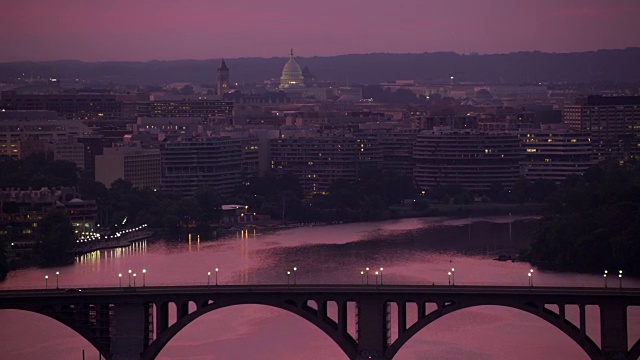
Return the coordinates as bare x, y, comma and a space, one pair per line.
133, 323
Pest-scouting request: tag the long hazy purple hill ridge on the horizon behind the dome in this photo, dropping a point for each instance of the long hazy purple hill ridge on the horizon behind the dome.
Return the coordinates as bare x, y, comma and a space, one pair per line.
522, 67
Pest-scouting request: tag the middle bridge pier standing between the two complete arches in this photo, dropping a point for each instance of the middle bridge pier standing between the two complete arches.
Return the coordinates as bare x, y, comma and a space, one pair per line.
372, 329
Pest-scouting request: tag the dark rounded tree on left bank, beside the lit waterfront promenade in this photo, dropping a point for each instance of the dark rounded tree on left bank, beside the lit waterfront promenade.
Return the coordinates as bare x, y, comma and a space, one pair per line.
56, 239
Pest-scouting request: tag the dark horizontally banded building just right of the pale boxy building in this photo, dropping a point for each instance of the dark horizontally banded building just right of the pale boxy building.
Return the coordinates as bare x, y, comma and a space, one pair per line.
192, 162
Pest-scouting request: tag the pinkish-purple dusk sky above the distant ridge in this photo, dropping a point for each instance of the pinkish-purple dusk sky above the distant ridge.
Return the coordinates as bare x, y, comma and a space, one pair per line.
98, 30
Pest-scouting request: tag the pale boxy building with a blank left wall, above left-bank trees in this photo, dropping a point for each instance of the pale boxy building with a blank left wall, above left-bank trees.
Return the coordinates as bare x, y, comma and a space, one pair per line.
141, 167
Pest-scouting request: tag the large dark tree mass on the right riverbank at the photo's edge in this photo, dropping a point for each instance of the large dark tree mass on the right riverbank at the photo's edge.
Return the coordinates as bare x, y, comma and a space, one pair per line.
592, 223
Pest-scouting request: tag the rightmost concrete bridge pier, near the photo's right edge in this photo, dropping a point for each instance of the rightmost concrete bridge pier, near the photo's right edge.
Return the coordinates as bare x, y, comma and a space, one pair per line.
613, 329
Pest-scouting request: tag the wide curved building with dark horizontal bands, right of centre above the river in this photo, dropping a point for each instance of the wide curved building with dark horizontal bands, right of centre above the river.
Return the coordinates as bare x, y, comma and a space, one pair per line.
474, 160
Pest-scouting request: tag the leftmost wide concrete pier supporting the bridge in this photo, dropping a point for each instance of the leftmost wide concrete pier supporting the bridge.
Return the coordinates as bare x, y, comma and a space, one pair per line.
128, 338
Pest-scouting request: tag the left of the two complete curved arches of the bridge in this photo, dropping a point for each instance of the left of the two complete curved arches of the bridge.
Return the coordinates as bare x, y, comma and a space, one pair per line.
346, 343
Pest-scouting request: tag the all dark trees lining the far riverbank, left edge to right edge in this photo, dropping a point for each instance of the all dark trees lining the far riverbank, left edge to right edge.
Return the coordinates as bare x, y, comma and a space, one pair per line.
590, 222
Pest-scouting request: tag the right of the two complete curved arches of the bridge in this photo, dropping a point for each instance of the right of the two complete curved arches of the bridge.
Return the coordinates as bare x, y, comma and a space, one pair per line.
588, 346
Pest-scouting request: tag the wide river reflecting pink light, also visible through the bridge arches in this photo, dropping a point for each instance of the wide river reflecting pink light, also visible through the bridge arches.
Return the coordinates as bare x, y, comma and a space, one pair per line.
411, 251
